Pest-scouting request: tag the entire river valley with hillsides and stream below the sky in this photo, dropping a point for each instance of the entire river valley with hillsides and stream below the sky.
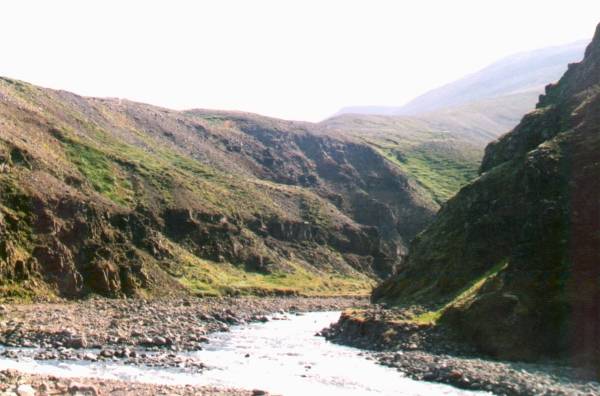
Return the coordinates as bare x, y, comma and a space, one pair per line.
449, 246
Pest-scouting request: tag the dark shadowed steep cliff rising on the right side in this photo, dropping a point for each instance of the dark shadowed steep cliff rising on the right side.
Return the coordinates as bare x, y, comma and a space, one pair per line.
512, 261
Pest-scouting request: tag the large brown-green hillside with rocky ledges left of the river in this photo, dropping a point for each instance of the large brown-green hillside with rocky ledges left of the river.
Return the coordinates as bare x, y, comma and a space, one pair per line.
119, 198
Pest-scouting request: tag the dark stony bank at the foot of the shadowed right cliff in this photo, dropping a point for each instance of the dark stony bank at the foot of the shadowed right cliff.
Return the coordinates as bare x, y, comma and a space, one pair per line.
424, 352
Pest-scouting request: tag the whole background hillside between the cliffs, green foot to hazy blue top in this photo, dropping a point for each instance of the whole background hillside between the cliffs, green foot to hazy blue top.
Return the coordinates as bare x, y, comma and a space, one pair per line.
438, 138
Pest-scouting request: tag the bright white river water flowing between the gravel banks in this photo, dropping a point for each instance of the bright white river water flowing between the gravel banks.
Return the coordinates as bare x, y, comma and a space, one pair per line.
281, 356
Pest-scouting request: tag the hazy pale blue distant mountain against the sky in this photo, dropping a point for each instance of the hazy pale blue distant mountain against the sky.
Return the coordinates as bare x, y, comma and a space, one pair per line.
519, 73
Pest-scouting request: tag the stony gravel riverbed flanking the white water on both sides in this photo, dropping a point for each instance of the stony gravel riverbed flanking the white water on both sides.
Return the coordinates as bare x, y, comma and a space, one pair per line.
152, 333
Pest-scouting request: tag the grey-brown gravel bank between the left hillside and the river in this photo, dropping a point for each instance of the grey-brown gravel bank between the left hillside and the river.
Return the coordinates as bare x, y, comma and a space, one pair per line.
138, 332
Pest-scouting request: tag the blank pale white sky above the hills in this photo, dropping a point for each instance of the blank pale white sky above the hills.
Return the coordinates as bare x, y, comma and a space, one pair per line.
298, 60
